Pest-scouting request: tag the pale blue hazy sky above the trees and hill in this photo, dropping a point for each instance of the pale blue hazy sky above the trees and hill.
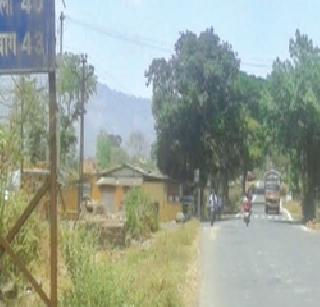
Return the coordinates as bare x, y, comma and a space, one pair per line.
122, 37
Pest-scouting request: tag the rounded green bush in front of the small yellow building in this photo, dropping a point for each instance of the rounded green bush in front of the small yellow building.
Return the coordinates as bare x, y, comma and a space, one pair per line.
141, 214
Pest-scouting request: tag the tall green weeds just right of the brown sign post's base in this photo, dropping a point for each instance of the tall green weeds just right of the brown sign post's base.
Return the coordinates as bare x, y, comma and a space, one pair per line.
93, 283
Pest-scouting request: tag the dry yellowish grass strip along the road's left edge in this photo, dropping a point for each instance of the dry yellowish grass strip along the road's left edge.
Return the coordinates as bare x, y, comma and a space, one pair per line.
166, 270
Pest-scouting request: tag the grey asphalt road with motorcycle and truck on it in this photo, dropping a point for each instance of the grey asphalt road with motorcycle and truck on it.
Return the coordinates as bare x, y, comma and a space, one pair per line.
273, 262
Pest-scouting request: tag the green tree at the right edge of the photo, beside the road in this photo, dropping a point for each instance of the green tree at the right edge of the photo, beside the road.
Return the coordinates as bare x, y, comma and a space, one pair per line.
294, 110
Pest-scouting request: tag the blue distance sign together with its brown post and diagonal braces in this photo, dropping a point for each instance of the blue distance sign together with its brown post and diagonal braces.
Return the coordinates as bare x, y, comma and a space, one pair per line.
27, 45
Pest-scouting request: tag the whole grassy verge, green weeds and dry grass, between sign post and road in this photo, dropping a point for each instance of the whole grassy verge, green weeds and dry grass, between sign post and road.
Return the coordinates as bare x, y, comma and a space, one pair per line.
152, 274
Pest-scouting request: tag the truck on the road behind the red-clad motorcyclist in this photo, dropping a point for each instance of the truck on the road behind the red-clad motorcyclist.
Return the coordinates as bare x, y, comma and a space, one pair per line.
272, 186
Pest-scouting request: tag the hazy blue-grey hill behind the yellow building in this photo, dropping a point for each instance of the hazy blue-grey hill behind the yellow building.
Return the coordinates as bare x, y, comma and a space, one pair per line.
118, 113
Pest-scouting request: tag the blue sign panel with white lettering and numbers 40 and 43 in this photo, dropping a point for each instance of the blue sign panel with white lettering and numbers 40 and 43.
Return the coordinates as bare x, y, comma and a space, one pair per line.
27, 36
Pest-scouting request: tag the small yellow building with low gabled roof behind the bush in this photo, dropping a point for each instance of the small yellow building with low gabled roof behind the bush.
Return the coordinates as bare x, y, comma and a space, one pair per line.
115, 183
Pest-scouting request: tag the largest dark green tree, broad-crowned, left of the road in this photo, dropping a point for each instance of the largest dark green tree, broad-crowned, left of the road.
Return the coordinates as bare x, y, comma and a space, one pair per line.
196, 108
